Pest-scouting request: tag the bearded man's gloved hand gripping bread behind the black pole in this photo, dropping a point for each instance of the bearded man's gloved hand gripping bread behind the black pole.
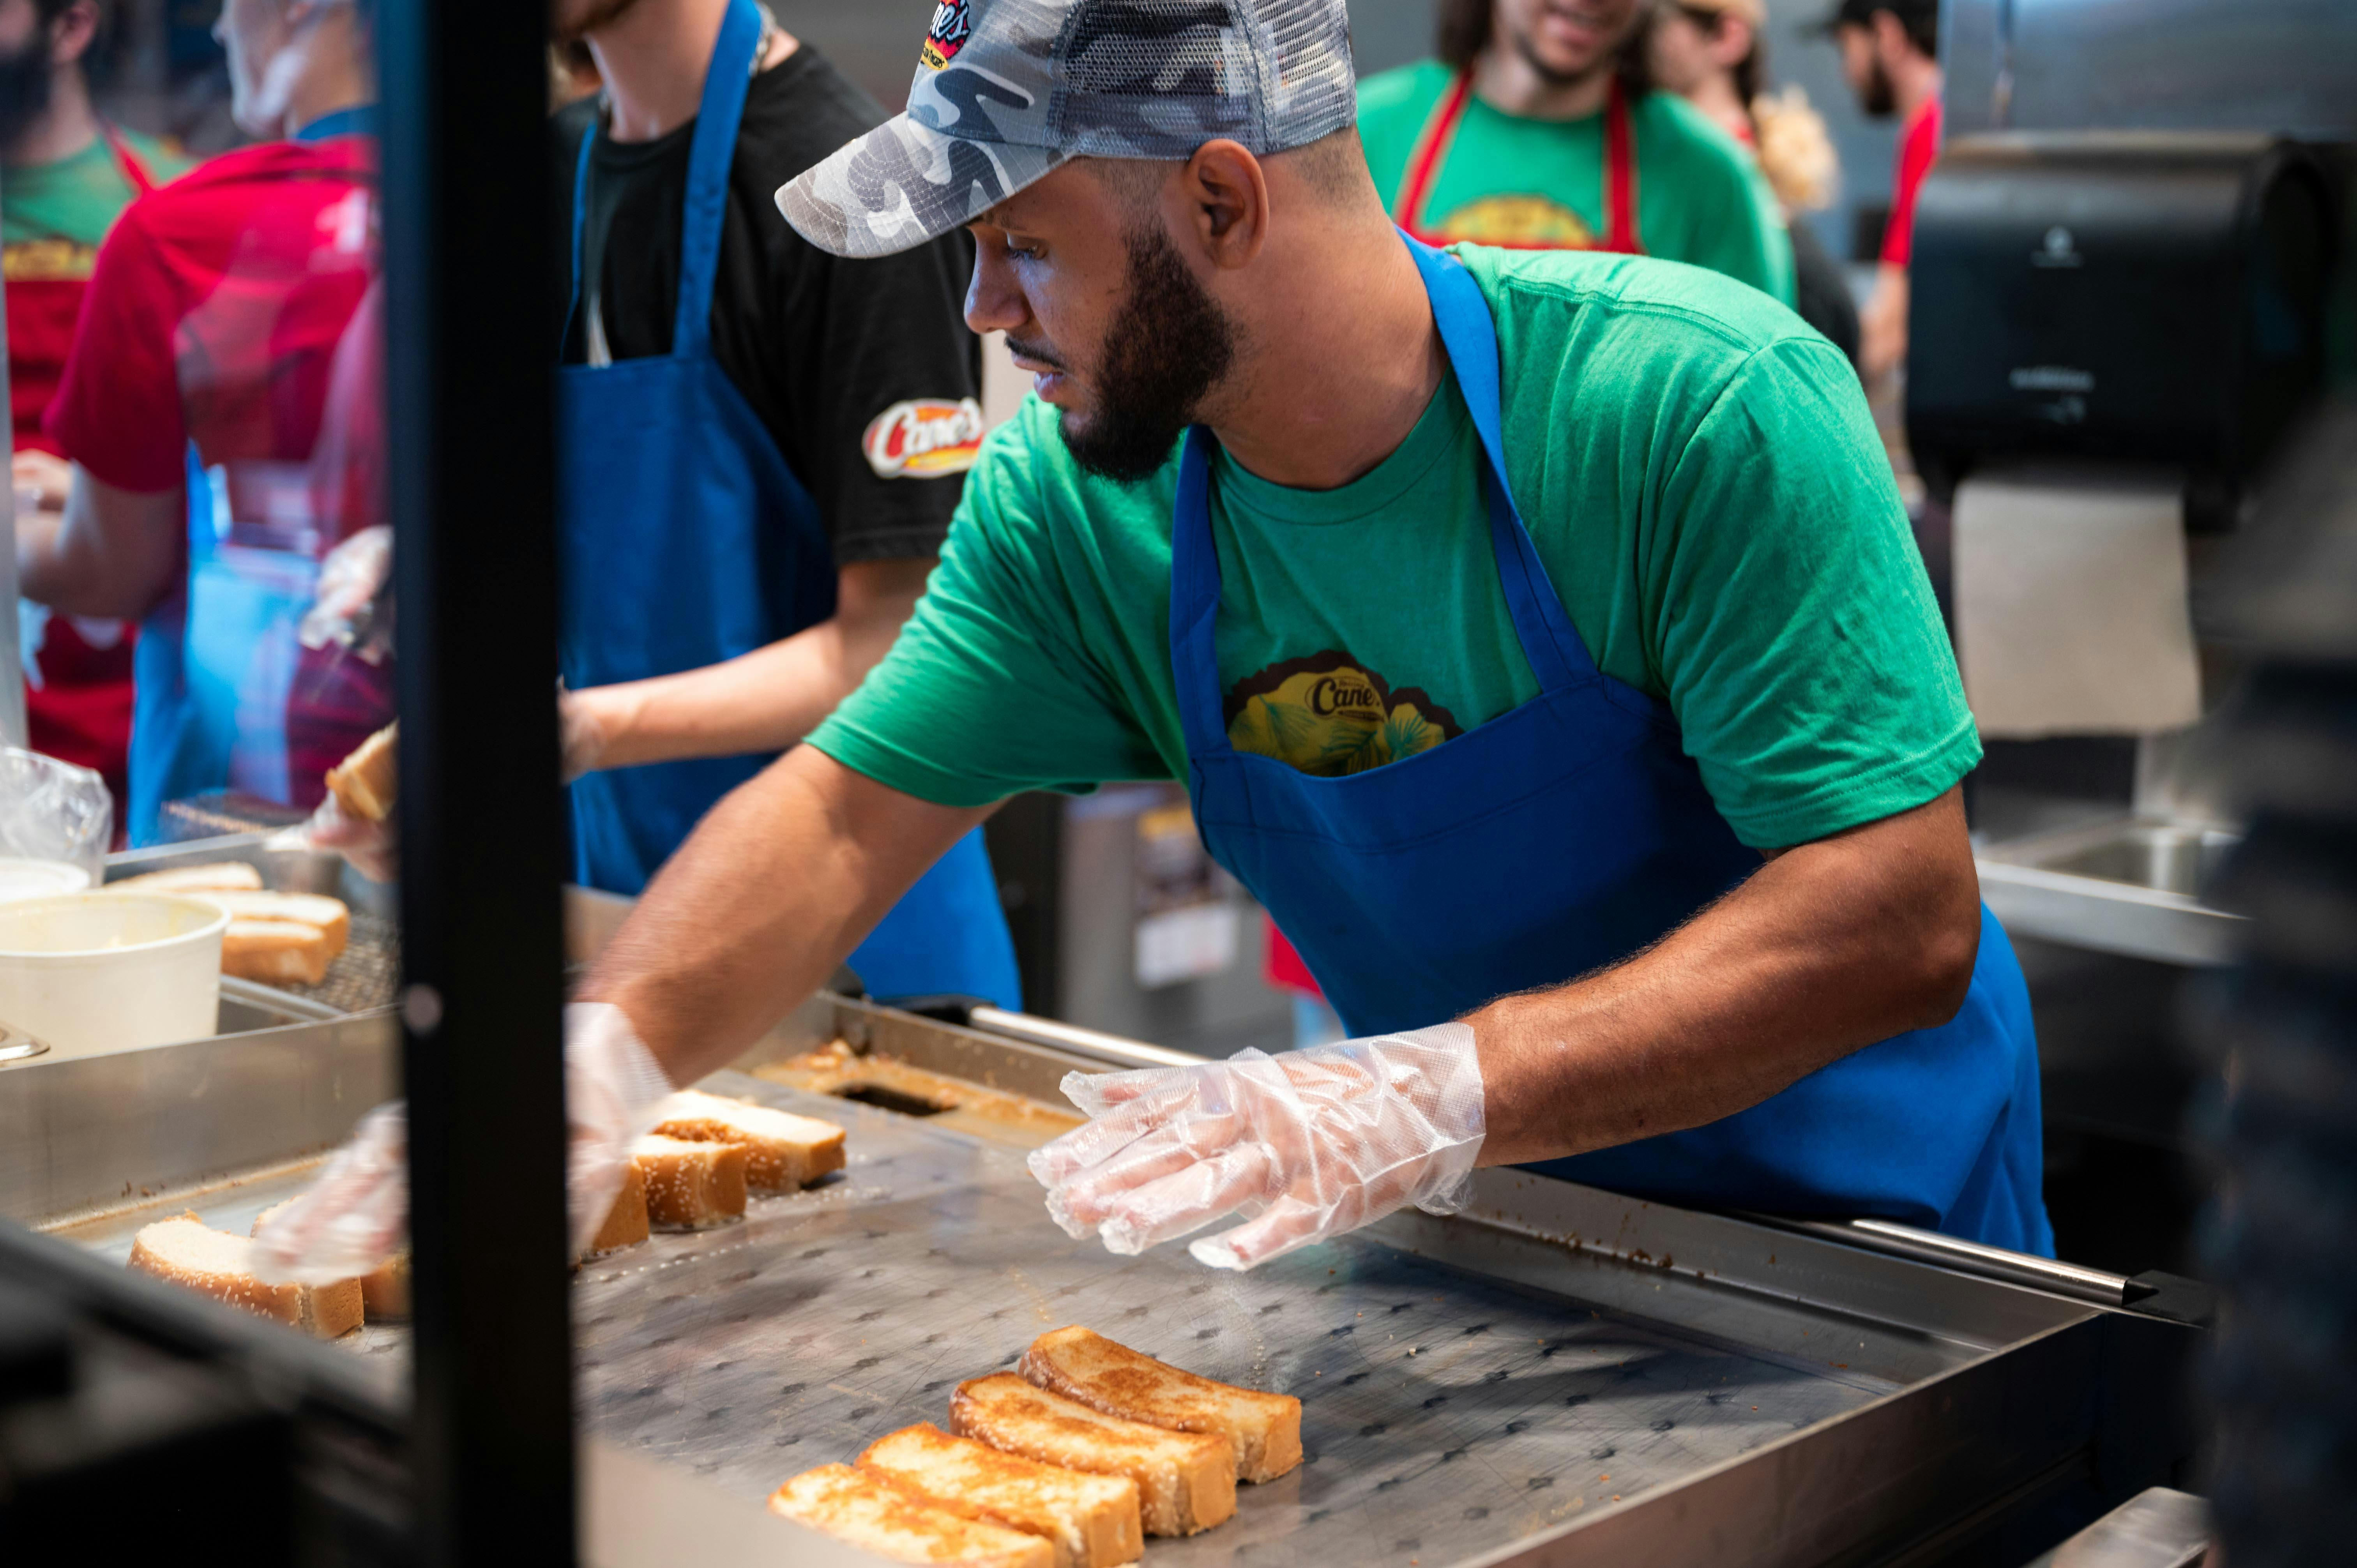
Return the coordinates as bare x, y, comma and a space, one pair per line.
357, 1213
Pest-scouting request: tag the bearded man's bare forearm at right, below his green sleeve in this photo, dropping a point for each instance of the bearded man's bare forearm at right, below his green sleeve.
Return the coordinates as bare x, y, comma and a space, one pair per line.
1825, 949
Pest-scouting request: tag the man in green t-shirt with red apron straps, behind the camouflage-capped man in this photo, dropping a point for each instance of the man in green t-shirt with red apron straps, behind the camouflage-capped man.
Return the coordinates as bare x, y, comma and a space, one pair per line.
1538, 131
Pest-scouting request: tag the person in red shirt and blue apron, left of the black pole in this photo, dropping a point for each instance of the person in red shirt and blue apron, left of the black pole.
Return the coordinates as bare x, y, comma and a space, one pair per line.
192, 409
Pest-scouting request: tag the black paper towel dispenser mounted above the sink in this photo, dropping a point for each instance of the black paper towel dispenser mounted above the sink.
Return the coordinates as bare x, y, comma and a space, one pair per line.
2151, 298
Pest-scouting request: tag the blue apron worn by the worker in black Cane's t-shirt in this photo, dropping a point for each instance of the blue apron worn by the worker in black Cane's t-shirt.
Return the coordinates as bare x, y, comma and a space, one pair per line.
687, 541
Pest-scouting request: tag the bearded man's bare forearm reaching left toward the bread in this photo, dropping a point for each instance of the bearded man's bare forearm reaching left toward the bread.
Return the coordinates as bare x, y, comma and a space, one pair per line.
760, 907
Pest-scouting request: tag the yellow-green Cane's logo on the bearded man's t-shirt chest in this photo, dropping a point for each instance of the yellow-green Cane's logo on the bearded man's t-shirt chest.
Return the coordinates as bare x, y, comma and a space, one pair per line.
1331, 716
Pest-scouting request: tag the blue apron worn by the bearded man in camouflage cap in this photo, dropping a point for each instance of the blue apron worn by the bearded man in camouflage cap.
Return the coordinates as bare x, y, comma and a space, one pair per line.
1566, 836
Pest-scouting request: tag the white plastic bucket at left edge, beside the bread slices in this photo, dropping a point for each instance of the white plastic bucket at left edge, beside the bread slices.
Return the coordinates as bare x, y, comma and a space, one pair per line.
112, 973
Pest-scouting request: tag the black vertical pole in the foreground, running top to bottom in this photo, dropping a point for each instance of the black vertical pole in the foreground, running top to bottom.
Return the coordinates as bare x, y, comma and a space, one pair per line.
482, 852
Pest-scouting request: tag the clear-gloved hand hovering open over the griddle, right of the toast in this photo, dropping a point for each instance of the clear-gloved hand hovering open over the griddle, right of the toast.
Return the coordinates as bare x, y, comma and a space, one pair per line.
1307, 1145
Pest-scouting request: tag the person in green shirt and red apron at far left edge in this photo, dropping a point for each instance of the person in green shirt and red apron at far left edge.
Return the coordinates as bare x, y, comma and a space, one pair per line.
67, 176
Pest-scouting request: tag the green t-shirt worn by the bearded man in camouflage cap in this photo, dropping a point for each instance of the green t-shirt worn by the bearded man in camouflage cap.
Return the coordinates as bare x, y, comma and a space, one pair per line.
1696, 468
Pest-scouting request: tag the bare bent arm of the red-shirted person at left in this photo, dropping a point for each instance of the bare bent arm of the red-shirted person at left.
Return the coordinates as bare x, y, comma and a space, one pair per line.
110, 553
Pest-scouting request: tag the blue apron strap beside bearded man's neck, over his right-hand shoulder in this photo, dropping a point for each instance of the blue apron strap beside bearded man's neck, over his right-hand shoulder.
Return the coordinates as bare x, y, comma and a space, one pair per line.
1550, 643
